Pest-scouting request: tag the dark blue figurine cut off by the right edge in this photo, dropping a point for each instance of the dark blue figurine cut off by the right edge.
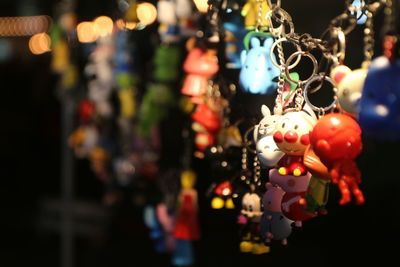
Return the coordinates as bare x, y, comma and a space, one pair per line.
380, 102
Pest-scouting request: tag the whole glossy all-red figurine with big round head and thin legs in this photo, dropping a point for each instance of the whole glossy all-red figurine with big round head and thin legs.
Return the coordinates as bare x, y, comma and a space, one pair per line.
336, 140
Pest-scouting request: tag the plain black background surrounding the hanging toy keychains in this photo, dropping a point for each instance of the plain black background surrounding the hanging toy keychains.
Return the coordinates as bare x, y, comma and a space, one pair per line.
30, 173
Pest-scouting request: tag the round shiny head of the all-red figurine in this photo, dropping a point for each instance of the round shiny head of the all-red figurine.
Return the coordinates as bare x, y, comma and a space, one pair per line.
336, 136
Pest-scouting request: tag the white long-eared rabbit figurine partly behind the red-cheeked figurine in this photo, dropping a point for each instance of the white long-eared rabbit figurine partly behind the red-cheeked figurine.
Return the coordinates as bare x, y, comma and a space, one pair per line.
267, 151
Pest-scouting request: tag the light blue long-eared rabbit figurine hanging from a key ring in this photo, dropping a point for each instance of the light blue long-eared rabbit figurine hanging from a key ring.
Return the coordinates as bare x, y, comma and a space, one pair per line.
257, 72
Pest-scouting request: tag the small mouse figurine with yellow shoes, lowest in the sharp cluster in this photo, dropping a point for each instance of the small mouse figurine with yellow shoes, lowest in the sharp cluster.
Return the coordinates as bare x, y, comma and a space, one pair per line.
250, 218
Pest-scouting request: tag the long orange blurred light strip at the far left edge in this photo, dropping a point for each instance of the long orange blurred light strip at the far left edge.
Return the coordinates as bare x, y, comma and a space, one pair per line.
24, 26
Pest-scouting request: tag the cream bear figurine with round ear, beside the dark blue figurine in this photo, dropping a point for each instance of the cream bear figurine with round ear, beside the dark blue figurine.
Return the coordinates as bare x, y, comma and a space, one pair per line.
349, 85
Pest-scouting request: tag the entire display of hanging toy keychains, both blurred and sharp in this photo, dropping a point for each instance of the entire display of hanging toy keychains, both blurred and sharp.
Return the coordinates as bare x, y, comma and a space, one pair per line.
276, 171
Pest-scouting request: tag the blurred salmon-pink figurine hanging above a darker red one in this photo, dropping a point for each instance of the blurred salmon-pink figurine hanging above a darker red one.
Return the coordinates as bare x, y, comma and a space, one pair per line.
199, 66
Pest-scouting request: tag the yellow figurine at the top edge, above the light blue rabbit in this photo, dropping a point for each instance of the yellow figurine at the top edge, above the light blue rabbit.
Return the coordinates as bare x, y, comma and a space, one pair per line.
250, 13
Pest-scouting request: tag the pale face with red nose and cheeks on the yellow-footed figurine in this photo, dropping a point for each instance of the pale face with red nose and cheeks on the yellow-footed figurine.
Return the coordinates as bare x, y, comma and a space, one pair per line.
292, 132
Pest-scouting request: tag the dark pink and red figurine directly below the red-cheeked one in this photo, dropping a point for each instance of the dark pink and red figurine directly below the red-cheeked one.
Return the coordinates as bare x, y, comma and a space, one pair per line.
293, 202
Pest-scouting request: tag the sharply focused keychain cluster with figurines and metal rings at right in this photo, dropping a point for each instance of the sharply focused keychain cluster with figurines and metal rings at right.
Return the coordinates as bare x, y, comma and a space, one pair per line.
302, 148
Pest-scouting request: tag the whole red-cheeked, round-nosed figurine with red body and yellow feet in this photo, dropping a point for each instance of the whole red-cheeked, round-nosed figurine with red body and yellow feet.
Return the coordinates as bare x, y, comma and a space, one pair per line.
292, 138
